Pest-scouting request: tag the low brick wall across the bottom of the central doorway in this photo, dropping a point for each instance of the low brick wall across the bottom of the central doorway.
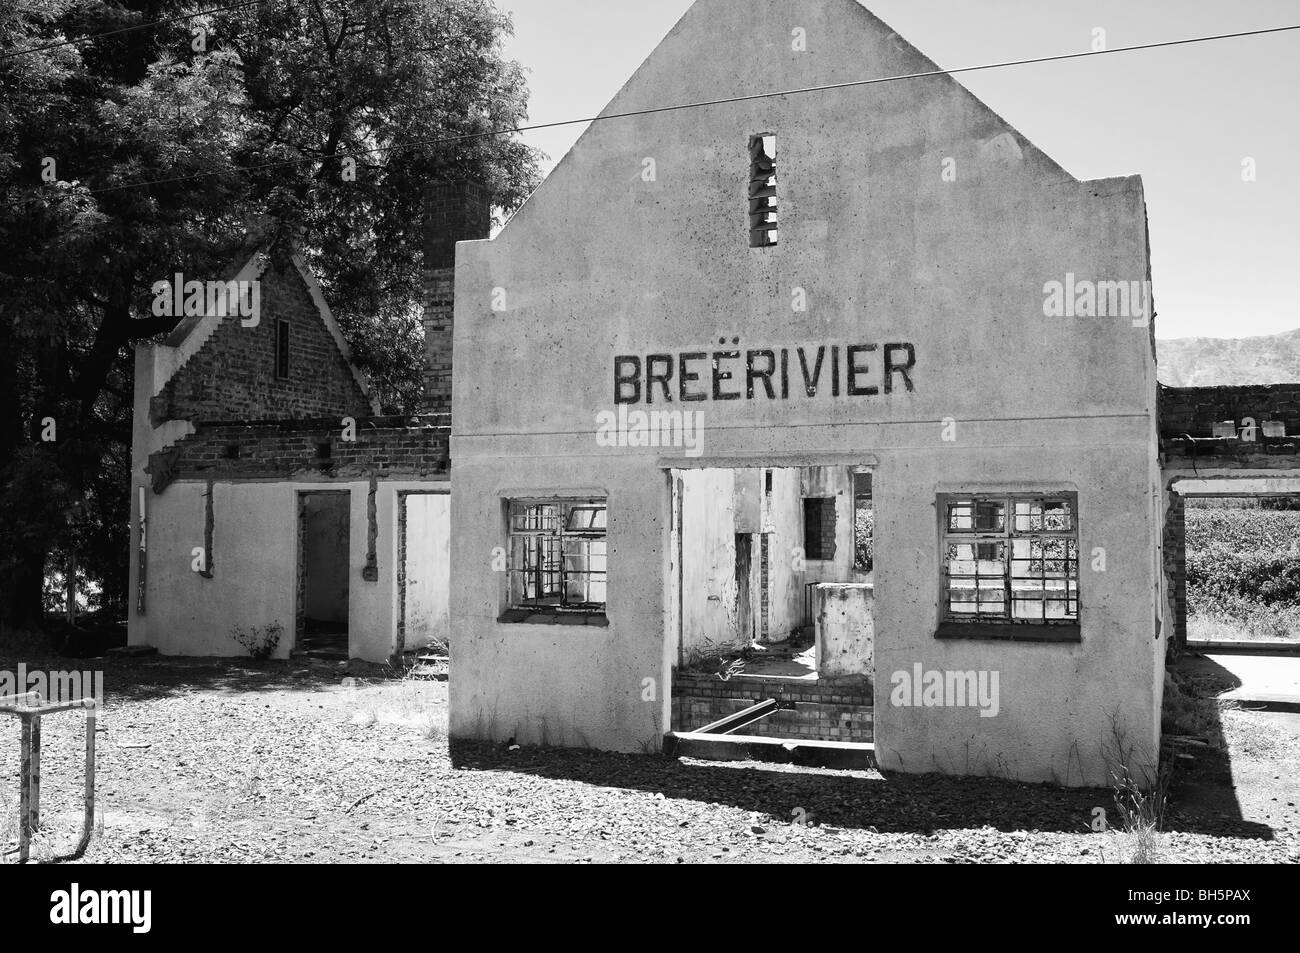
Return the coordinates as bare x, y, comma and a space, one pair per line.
822, 712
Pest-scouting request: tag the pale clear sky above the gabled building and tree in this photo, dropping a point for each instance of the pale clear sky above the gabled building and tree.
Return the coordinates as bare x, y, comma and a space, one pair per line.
1225, 254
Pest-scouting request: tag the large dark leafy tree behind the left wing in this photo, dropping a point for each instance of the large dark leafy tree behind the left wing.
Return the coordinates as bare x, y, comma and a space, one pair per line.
168, 149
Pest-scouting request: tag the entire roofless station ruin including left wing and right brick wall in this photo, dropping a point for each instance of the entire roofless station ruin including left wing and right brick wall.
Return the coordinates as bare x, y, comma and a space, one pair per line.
769, 435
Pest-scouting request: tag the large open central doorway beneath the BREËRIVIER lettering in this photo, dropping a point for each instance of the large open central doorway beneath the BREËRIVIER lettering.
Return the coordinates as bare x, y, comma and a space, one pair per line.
772, 603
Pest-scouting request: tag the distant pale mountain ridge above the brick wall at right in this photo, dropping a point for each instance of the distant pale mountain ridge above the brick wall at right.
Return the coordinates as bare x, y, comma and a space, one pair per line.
1214, 362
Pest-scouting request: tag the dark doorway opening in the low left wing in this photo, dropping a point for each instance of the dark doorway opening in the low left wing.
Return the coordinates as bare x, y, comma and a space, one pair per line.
323, 573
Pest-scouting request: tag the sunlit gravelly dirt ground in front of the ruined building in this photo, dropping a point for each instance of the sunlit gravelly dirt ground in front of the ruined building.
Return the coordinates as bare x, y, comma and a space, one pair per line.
207, 761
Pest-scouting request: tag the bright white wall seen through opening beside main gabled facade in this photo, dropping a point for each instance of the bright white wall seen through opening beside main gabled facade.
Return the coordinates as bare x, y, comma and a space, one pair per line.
428, 569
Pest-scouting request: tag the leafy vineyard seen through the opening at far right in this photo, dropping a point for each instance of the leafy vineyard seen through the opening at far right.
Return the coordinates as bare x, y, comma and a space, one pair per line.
1243, 569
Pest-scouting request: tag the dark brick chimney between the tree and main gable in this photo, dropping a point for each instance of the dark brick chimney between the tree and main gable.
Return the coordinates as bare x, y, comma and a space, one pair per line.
454, 213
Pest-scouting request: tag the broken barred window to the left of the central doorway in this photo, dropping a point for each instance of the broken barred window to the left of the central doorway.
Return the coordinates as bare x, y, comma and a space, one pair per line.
557, 555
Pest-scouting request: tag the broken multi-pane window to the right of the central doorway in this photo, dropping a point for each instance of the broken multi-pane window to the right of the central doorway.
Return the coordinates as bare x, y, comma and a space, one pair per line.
1012, 560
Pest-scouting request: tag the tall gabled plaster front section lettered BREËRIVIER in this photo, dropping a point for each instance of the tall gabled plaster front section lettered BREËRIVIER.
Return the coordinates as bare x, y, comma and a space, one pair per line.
803, 309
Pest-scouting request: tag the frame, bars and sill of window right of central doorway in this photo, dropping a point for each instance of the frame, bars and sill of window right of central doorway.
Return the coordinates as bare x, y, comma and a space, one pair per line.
1009, 627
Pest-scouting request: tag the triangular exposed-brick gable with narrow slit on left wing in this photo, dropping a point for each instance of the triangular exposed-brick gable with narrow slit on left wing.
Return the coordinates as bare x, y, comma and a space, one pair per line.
233, 375
